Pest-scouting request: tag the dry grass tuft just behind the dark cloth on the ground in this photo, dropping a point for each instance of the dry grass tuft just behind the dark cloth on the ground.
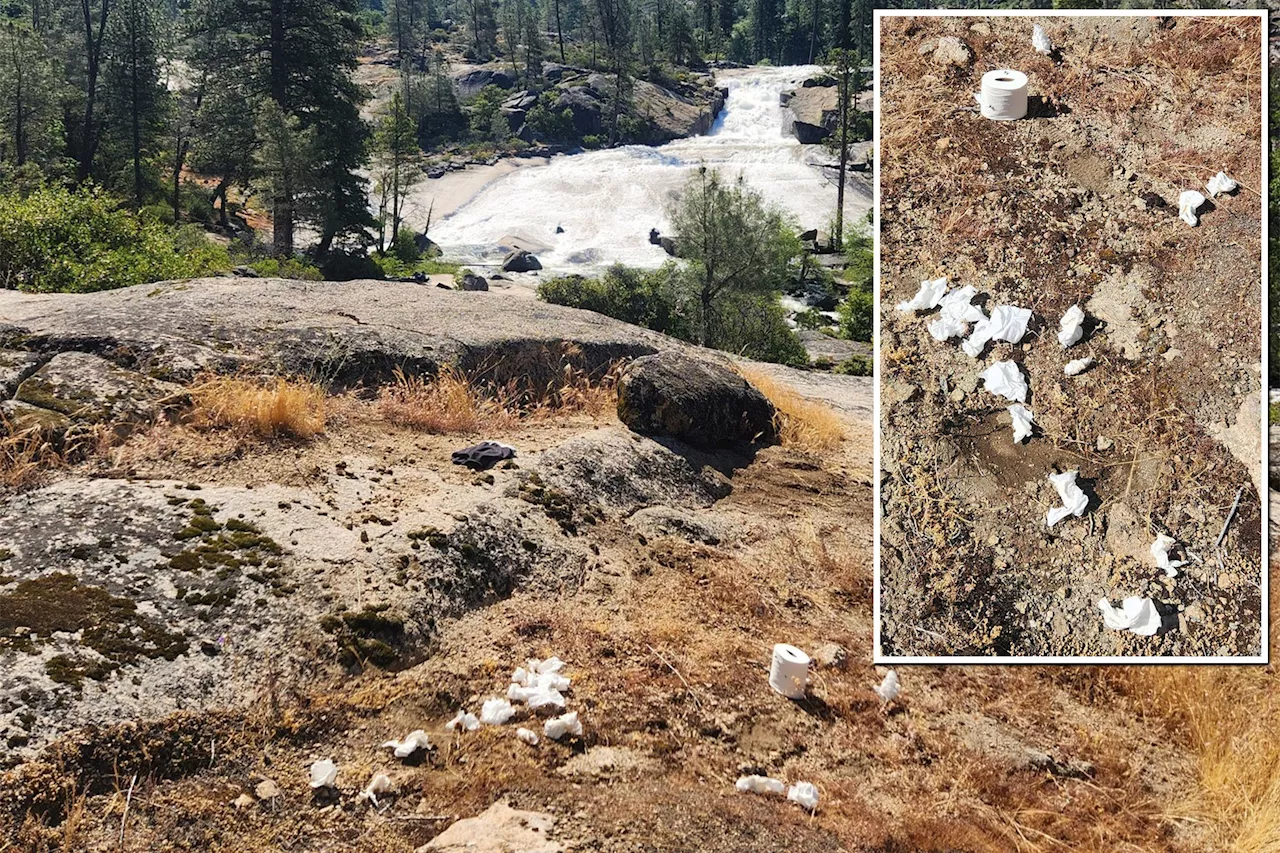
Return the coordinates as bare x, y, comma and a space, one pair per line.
446, 404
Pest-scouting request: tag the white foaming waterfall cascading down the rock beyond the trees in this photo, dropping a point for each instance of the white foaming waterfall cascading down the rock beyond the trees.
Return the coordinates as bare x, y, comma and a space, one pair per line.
607, 202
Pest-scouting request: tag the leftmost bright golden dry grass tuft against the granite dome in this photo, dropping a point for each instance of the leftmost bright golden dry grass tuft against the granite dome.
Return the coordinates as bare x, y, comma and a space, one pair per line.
272, 409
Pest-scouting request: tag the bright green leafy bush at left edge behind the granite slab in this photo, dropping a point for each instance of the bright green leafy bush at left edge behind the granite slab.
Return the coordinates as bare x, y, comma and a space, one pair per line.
79, 241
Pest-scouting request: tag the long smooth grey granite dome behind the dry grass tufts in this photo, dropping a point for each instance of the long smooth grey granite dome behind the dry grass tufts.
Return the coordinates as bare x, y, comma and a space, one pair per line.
355, 332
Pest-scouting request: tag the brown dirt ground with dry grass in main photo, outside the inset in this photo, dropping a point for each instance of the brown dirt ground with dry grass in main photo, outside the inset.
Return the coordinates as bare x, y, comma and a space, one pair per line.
668, 642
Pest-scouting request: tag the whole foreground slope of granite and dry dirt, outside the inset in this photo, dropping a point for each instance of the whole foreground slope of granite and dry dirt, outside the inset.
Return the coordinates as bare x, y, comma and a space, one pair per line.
193, 618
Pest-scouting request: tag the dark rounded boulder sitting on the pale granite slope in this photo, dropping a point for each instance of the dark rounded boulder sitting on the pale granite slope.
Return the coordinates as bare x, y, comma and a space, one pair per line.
700, 403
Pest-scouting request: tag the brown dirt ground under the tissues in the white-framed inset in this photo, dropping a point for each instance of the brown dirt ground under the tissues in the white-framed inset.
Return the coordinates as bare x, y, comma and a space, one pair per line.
1075, 206
